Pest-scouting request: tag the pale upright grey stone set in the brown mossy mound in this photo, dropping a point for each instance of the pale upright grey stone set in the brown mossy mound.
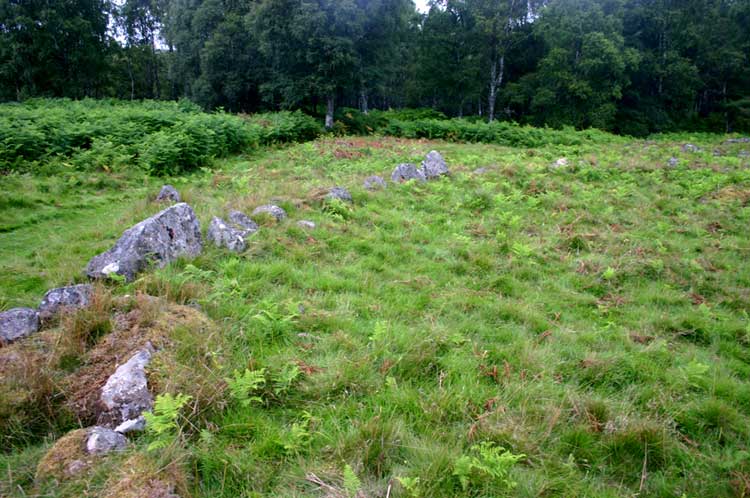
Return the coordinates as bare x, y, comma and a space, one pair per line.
125, 394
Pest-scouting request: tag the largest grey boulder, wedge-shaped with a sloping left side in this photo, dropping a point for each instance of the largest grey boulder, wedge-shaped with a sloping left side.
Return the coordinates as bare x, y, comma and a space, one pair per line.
158, 240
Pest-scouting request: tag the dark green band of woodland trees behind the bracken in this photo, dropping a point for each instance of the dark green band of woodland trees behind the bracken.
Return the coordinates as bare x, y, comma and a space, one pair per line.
630, 66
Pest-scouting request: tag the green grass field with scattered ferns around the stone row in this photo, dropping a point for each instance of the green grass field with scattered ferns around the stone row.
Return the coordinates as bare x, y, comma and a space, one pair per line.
591, 318
